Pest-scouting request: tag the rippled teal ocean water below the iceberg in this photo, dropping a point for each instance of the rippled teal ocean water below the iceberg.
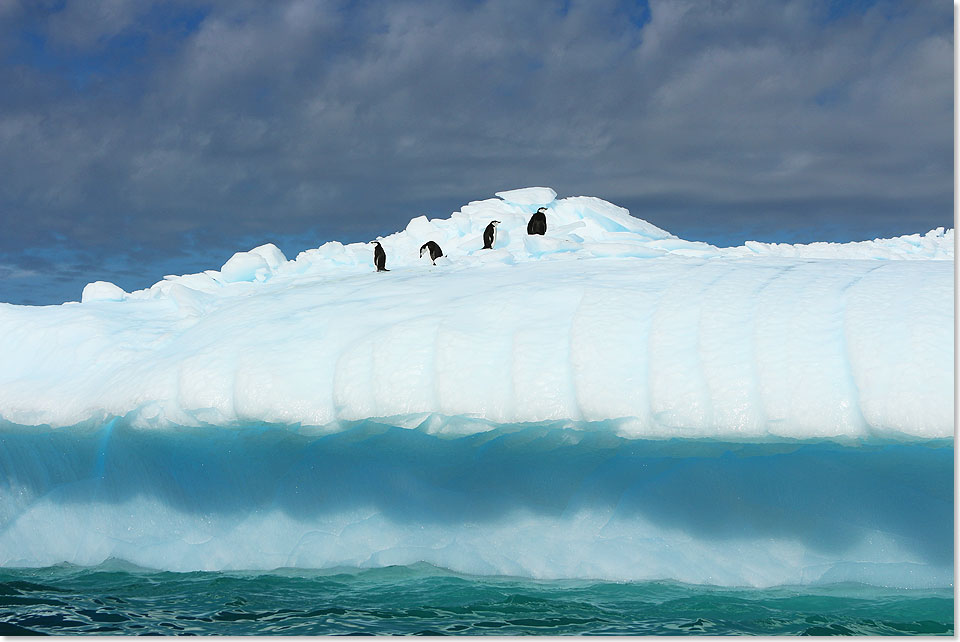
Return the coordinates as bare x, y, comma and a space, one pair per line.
119, 599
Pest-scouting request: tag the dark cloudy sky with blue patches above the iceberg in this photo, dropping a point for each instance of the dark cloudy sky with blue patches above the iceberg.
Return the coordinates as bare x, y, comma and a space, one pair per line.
141, 138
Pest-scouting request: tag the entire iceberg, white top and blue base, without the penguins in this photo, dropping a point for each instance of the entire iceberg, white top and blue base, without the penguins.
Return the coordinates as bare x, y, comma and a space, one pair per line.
606, 401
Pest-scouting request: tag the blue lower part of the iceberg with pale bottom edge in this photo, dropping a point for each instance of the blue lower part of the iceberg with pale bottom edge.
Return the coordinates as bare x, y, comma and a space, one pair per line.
536, 502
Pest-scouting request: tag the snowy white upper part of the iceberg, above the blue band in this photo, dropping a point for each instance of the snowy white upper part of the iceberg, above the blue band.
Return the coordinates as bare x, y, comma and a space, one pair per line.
607, 318
